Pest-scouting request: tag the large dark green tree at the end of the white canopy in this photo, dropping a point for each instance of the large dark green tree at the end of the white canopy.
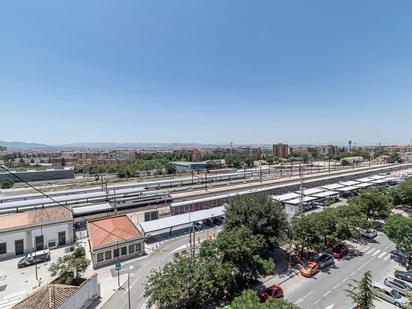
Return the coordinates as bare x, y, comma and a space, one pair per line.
260, 214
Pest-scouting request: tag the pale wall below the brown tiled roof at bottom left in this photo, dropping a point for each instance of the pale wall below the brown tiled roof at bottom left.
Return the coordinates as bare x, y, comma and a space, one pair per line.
88, 293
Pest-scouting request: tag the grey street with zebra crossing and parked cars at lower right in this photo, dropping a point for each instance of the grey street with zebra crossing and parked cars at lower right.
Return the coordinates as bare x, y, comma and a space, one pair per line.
326, 289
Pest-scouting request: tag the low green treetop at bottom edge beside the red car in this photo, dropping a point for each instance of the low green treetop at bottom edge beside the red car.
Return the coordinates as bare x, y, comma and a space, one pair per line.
250, 300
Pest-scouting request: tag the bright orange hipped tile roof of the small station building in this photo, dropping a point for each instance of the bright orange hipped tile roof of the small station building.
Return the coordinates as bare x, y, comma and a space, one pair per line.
109, 230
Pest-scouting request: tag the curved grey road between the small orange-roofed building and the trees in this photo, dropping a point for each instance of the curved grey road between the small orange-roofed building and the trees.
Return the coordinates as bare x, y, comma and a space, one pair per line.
141, 269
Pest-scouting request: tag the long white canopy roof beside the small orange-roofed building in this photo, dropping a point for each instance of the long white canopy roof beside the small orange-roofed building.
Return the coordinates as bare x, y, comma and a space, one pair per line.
179, 221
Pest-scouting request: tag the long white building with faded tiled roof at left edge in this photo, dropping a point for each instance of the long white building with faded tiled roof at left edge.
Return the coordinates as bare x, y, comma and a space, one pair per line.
34, 230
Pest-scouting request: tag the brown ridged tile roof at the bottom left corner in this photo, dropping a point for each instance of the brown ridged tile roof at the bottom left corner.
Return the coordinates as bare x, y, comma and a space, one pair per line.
48, 296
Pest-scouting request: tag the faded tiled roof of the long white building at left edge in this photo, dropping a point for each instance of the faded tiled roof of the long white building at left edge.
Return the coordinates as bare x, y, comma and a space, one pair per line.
35, 217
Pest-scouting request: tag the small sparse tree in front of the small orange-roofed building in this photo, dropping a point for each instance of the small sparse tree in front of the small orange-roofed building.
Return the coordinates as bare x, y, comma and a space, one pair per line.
72, 265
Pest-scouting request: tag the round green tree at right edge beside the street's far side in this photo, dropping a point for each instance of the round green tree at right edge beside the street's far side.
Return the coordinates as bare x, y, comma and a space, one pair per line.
399, 230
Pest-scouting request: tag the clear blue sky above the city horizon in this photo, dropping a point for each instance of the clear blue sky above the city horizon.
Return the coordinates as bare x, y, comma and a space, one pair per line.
207, 71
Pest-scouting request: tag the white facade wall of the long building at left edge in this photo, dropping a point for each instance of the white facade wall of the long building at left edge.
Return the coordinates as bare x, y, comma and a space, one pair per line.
50, 232
